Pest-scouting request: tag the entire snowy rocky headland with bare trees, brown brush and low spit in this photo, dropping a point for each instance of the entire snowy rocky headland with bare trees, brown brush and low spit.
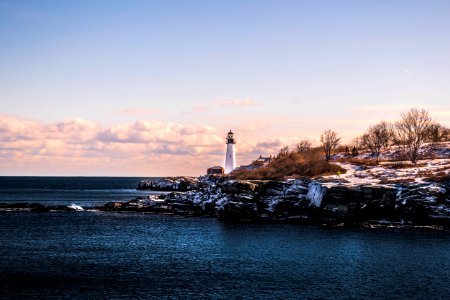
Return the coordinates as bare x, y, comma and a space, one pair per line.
395, 175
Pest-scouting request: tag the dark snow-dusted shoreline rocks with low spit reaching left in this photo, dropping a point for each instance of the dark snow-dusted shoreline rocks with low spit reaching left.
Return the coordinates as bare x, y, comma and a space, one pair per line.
301, 201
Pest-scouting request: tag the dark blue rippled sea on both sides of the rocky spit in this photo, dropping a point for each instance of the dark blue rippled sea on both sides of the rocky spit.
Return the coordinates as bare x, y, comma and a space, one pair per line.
76, 255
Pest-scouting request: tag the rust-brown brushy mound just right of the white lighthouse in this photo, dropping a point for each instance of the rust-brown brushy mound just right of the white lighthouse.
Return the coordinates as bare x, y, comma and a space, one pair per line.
293, 165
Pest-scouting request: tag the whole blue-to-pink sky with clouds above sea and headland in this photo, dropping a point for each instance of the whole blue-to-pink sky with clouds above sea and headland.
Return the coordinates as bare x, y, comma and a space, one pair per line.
150, 88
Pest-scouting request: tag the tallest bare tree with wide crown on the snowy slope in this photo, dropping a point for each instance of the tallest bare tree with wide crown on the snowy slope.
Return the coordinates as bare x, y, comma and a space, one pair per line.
412, 130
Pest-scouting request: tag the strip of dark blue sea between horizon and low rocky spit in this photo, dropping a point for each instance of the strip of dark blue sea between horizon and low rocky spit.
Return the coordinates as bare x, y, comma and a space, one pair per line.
84, 191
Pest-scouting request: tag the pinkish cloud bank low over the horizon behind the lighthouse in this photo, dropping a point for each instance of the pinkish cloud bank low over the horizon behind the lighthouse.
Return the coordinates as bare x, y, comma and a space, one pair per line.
143, 148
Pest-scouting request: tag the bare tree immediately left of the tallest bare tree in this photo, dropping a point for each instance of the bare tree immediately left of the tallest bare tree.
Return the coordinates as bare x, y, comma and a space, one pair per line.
377, 137
